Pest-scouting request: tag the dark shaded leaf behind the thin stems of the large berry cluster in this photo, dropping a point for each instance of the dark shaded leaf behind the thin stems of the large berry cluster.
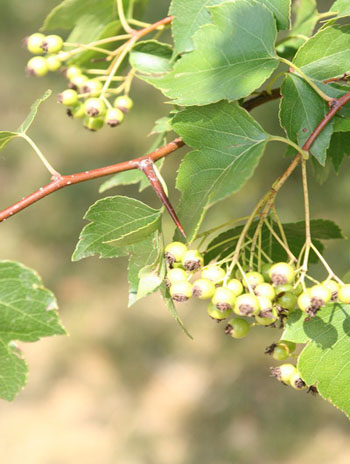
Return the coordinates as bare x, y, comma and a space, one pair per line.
225, 243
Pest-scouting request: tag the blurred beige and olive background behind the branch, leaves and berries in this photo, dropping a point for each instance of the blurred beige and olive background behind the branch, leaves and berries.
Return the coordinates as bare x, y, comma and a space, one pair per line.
126, 386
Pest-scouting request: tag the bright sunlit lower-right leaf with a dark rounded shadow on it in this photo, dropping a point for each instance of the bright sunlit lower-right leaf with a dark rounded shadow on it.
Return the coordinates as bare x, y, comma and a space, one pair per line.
324, 361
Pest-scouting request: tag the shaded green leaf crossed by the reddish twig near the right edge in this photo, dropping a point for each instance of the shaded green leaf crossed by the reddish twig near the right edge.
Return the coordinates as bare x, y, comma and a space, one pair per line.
301, 110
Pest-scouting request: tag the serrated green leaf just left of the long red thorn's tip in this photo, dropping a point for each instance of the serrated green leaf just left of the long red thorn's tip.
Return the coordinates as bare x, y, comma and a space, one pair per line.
117, 221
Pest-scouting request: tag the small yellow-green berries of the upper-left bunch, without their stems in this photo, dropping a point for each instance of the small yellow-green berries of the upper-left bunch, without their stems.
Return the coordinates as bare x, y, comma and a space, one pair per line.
84, 99
